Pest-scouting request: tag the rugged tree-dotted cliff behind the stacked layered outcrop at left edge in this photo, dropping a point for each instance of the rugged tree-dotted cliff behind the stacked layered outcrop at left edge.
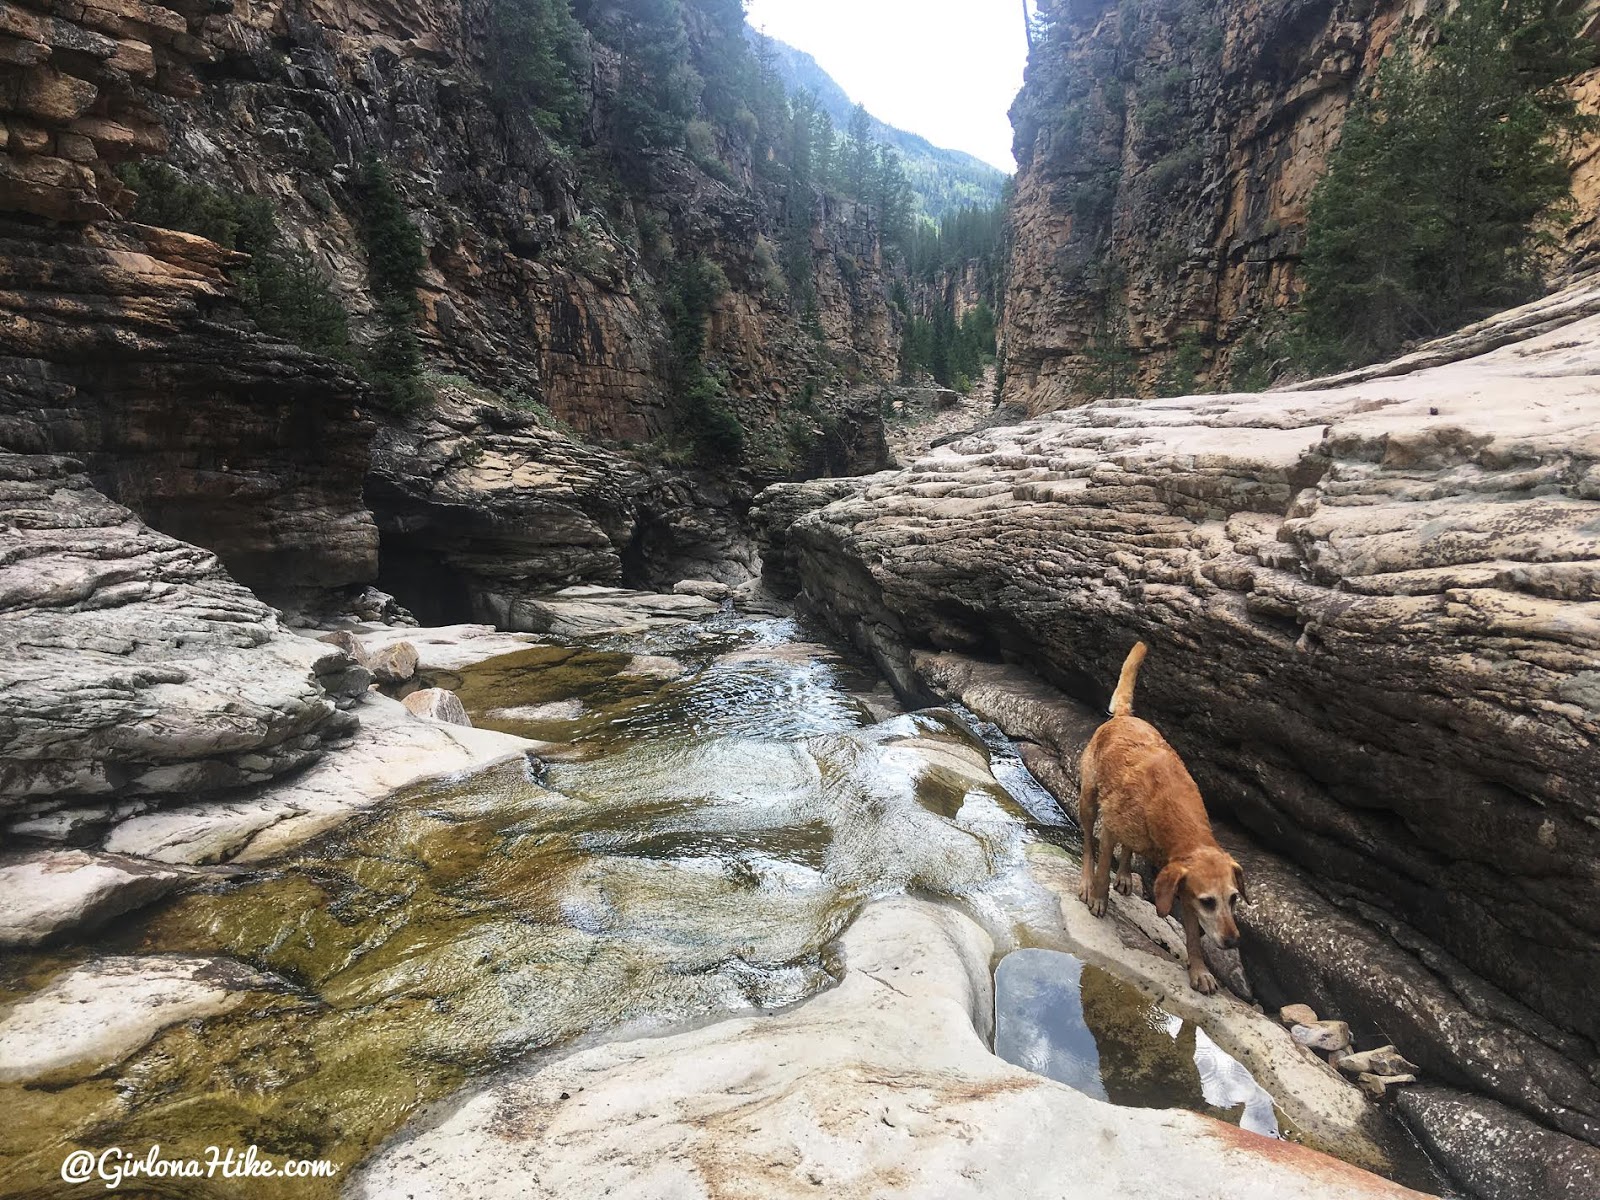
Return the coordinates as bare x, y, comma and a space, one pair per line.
530, 286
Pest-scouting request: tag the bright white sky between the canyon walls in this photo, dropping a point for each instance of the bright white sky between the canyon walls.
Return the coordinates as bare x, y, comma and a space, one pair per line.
946, 70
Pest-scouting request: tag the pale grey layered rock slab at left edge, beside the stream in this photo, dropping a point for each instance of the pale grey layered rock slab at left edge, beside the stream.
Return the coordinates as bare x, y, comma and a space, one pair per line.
134, 668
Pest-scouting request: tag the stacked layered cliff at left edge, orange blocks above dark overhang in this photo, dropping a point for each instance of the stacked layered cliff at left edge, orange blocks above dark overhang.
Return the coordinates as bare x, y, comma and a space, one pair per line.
121, 345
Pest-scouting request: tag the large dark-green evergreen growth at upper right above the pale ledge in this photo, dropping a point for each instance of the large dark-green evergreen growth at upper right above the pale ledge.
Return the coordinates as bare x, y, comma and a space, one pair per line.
1447, 182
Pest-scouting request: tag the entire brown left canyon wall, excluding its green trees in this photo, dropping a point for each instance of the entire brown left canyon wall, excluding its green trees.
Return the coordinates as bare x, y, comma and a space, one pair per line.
127, 346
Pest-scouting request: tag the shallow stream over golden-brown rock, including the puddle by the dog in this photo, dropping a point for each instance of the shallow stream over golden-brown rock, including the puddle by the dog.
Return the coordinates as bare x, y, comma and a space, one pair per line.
708, 812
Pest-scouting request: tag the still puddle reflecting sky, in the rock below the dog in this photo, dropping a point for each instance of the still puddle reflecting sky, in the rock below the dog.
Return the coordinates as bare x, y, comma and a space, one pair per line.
1089, 1030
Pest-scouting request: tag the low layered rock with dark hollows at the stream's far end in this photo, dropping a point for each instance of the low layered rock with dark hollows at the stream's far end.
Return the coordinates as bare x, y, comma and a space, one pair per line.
482, 508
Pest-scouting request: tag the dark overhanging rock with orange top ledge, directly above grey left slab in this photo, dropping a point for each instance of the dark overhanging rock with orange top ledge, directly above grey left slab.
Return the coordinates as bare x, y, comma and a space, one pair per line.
121, 348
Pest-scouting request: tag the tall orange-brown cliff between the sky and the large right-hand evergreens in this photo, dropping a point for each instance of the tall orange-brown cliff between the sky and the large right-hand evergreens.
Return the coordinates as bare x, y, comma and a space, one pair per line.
1167, 153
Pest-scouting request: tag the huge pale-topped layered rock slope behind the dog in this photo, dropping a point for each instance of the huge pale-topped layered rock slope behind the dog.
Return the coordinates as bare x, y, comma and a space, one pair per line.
1370, 614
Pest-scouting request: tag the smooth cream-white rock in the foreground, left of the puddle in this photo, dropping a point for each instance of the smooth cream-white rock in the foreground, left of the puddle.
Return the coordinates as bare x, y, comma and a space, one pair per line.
882, 1084
